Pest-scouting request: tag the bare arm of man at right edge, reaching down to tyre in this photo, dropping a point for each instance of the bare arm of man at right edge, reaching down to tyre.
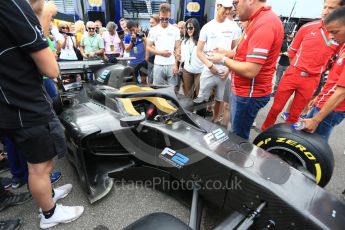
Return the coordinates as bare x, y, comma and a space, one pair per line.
338, 97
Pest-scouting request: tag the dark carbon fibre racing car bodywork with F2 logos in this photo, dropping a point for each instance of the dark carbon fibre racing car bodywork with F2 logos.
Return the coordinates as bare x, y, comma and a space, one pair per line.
107, 145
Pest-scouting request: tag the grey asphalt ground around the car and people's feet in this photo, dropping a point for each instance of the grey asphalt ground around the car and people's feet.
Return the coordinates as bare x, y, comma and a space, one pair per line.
125, 204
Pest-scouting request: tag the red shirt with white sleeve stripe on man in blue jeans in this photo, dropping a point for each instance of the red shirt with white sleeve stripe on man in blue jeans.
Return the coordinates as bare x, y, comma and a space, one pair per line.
261, 44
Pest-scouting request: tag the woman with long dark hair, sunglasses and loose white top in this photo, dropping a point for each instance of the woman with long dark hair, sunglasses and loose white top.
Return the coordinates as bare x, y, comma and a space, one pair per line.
192, 66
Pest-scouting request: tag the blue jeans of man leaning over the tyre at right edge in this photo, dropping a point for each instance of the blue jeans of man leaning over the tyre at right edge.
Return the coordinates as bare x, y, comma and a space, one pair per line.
326, 126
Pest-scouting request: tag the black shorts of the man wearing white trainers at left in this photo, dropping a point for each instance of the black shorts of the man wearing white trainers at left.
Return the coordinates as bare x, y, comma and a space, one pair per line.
40, 143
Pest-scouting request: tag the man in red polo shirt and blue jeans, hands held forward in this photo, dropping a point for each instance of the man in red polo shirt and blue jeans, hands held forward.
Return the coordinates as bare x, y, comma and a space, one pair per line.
254, 63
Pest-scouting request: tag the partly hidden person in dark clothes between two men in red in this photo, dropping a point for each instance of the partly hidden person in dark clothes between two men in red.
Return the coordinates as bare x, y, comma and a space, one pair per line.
284, 61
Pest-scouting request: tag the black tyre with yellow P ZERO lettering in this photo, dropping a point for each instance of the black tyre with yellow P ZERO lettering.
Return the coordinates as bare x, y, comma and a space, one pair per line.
299, 148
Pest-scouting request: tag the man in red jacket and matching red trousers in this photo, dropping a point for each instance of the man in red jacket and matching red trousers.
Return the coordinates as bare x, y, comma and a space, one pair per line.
309, 55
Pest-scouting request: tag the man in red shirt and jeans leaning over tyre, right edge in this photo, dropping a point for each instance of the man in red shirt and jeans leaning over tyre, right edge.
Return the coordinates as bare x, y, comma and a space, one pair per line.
329, 108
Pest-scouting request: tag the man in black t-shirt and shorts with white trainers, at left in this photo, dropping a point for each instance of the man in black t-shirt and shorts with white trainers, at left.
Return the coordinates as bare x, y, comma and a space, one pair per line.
26, 113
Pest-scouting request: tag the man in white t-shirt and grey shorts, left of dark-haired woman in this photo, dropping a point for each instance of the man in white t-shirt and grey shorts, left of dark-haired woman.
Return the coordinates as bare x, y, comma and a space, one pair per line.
163, 41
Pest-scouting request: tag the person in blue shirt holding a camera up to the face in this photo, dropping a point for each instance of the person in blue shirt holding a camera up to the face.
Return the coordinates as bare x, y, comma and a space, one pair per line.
135, 45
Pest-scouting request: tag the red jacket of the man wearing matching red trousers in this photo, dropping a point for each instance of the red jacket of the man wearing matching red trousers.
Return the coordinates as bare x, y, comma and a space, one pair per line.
311, 49
